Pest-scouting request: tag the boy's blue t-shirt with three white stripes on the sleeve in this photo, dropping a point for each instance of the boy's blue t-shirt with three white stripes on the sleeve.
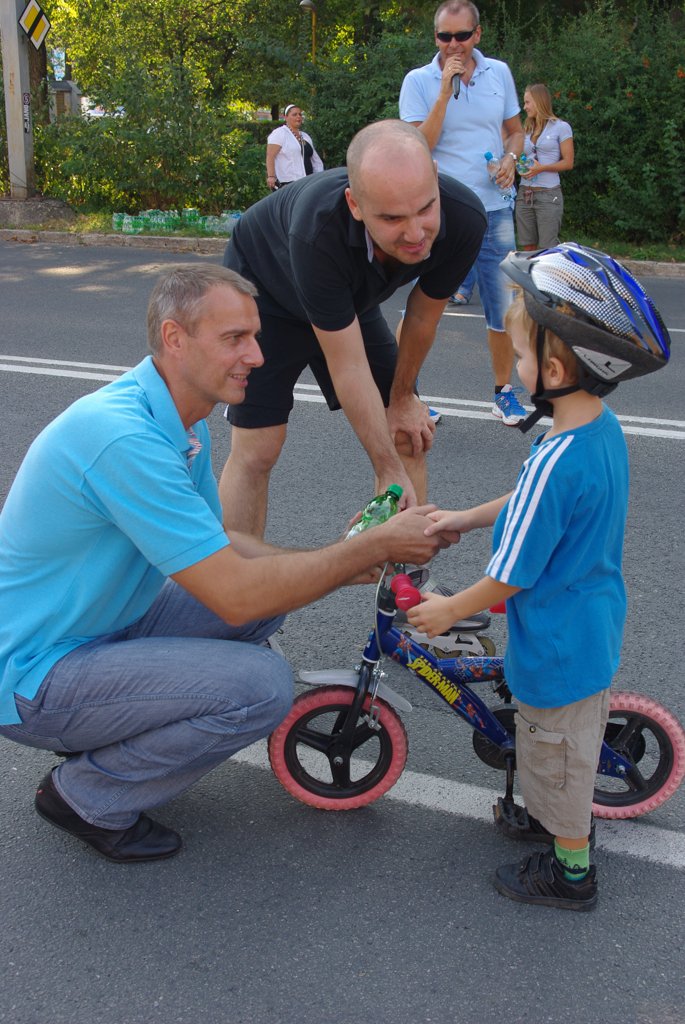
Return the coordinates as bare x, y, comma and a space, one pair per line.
560, 538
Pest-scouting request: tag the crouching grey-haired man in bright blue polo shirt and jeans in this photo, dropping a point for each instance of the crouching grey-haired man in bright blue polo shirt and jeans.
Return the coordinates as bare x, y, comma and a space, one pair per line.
133, 627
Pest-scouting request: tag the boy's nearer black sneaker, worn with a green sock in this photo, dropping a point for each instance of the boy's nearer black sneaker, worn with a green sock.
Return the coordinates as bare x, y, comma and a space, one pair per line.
540, 880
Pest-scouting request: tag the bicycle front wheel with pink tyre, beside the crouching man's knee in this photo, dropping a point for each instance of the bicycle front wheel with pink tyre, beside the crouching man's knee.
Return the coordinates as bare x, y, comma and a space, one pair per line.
311, 761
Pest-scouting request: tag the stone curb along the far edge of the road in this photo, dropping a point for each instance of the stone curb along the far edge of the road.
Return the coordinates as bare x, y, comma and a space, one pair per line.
645, 269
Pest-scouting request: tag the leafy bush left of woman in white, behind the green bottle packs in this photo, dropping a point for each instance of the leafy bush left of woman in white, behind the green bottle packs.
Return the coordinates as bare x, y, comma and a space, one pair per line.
166, 150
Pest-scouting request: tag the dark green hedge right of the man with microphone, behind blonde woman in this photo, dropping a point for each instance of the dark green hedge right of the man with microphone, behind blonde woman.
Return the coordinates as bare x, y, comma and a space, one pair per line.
621, 86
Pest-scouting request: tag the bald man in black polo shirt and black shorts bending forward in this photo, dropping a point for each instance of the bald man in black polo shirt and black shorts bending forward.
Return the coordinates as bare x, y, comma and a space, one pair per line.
324, 253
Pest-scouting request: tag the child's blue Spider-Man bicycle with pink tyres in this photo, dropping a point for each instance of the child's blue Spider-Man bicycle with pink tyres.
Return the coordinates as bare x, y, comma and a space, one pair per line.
344, 744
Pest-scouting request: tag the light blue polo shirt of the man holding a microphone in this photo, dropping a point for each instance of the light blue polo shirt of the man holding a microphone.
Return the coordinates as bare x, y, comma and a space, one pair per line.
473, 123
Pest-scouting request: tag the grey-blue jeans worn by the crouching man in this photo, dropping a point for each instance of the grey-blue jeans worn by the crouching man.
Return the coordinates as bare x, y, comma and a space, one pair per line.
155, 707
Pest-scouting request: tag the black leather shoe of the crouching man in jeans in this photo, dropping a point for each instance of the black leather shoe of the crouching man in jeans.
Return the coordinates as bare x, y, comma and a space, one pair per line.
147, 840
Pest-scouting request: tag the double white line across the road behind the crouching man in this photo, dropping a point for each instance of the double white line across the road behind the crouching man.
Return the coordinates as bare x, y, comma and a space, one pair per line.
463, 408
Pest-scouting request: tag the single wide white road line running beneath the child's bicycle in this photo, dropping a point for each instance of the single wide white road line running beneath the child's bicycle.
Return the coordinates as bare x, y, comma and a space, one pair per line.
435, 794
